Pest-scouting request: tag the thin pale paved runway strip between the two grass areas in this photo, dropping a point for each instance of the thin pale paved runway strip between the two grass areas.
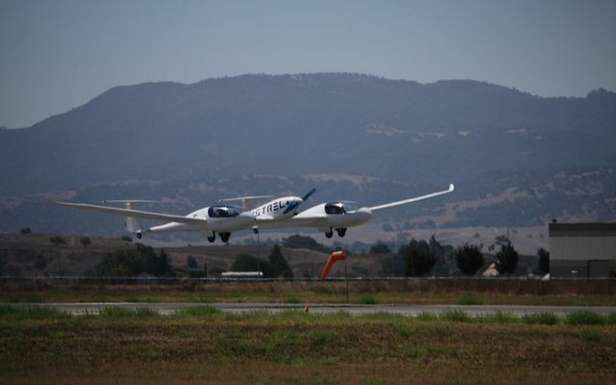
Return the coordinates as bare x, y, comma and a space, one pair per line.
407, 310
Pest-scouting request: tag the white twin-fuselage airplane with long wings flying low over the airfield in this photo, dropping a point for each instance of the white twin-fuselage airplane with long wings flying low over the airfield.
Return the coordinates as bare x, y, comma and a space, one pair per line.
223, 219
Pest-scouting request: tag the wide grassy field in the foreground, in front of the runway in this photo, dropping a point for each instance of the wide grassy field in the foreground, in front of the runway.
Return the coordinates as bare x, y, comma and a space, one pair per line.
202, 345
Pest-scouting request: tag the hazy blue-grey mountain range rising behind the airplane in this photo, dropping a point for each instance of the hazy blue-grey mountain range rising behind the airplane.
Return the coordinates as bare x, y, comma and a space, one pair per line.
365, 137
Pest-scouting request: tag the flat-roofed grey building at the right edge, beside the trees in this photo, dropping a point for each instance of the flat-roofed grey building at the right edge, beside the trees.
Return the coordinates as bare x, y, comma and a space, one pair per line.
585, 250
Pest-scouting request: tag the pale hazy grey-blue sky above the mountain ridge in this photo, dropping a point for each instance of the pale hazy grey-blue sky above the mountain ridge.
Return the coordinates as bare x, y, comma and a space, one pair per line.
56, 55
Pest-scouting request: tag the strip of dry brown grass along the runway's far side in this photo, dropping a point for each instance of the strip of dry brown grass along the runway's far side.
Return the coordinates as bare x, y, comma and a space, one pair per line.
396, 292
